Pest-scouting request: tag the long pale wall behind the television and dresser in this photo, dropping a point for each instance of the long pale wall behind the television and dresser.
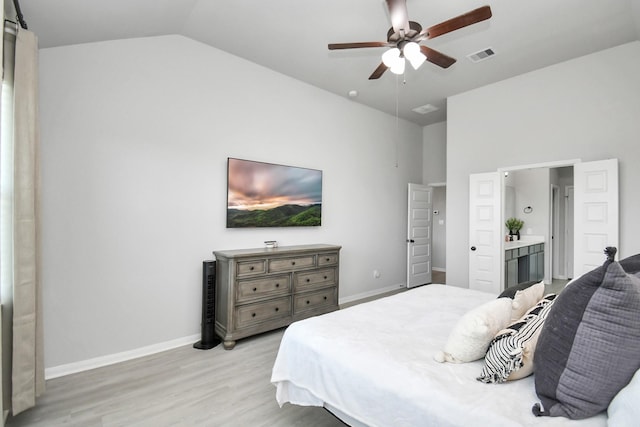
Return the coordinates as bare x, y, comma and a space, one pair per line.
135, 136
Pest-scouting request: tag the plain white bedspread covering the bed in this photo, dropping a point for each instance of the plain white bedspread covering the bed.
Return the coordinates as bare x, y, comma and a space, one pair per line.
374, 363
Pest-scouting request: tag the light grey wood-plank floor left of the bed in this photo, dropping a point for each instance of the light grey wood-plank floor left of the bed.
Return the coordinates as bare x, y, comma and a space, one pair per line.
179, 387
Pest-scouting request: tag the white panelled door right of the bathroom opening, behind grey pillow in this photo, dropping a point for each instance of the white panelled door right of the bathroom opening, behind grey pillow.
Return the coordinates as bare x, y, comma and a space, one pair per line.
595, 212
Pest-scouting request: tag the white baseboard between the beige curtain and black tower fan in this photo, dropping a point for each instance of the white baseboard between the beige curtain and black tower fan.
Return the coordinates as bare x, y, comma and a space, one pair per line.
98, 362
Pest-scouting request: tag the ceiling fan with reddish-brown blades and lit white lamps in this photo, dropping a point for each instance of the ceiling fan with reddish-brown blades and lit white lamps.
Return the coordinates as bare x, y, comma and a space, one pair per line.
404, 37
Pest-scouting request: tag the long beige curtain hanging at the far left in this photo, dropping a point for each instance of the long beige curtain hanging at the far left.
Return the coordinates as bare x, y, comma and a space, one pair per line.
27, 376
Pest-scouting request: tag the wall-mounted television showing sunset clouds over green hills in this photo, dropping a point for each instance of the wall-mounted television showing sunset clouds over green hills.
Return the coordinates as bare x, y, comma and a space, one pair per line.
270, 195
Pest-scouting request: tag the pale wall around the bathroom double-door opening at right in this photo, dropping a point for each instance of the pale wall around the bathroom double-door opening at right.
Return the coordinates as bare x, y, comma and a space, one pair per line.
585, 108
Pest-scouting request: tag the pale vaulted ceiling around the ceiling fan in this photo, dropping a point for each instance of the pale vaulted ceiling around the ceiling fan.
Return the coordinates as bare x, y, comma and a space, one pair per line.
291, 37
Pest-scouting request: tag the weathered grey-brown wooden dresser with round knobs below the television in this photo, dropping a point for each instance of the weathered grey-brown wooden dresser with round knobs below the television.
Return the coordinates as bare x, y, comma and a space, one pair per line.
258, 290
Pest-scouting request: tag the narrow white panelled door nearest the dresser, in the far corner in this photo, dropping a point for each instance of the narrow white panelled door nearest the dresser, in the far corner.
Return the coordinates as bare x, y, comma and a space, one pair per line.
419, 228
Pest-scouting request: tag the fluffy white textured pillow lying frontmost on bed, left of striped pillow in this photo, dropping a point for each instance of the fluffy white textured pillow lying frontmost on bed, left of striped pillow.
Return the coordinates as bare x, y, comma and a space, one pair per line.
471, 336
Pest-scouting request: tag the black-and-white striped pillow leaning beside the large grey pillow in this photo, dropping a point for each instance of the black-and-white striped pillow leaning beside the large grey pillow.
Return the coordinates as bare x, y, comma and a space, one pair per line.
510, 355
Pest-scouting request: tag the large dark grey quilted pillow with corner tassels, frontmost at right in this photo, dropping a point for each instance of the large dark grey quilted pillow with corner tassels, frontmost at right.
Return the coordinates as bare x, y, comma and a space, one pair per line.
589, 347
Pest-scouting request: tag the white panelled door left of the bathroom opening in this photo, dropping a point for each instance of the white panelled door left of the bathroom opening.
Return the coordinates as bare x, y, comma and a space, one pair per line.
485, 237
